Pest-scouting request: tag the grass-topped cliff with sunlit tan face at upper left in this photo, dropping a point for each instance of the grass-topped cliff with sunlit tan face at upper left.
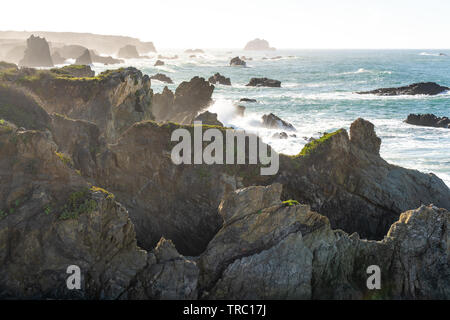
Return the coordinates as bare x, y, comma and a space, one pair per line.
113, 100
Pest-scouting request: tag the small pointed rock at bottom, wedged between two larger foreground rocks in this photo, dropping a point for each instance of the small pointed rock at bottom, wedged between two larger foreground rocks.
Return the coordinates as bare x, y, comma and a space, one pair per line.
168, 276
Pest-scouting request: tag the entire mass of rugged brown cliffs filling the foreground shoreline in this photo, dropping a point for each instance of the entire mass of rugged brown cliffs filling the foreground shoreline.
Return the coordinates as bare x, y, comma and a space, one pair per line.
88, 181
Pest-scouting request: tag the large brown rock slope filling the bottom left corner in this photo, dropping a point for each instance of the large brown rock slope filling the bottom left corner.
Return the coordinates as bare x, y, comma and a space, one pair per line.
56, 221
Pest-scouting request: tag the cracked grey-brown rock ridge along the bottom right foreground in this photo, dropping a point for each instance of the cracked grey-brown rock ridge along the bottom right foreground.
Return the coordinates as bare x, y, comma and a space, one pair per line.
268, 249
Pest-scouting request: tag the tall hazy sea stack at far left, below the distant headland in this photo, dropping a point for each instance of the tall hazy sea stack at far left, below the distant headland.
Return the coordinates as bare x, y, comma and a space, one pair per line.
37, 53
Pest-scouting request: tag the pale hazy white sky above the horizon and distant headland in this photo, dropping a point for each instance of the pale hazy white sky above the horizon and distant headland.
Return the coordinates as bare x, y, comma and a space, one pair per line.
231, 23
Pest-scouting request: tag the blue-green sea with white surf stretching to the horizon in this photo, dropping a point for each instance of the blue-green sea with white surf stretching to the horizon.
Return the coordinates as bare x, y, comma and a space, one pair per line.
317, 95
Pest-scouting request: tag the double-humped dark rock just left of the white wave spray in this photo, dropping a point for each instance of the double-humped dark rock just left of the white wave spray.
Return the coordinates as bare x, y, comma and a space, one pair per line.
189, 99
